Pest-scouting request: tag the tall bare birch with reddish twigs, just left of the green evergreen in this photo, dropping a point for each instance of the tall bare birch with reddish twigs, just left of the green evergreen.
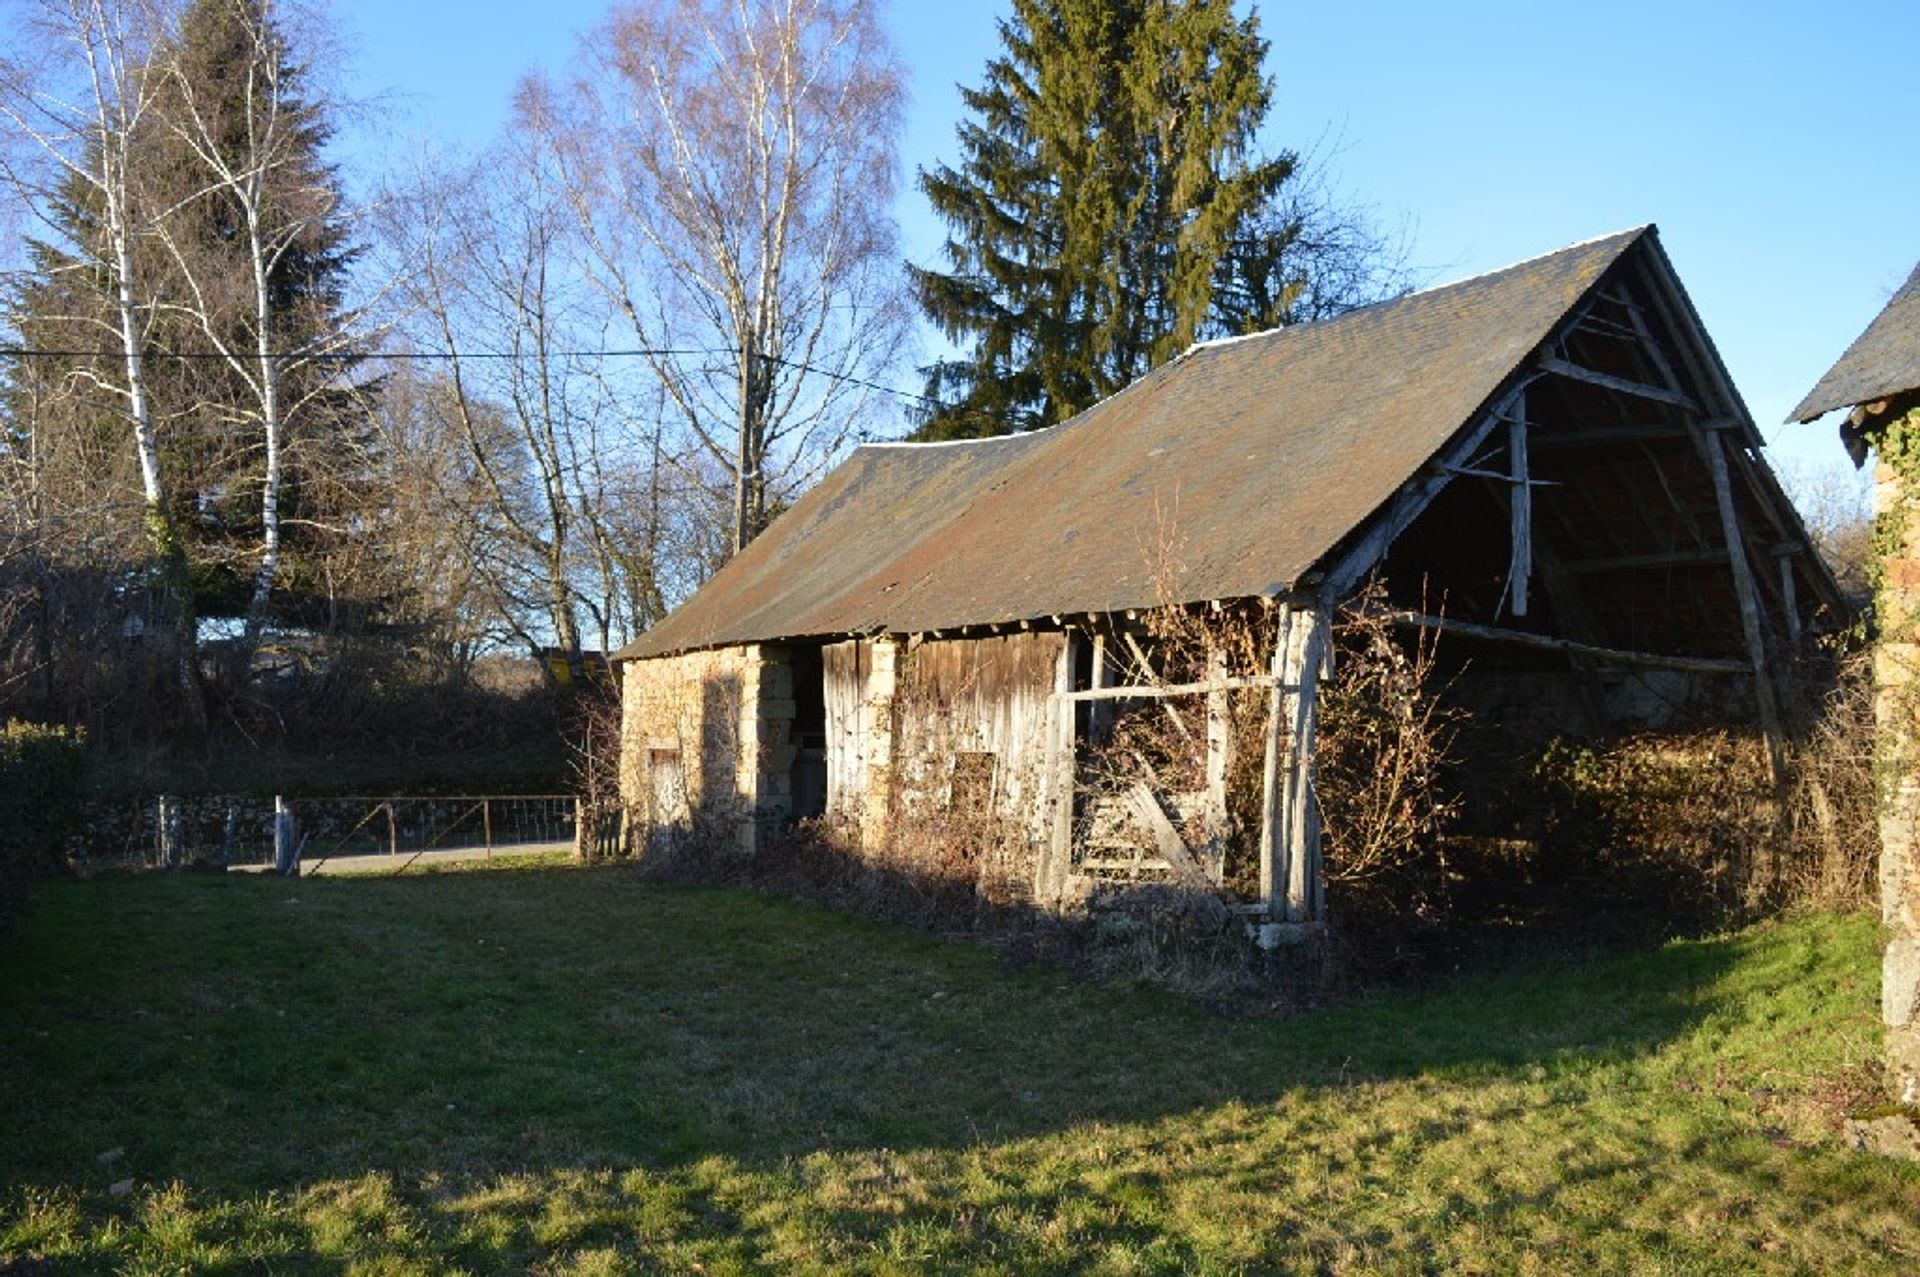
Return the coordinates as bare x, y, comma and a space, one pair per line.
732, 166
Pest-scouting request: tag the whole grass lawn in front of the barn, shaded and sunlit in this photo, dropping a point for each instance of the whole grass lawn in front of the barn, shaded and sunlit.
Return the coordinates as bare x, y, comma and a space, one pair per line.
569, 1071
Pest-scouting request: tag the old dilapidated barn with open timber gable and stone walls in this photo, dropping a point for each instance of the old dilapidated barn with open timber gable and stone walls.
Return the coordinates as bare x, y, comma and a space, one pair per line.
1548, 464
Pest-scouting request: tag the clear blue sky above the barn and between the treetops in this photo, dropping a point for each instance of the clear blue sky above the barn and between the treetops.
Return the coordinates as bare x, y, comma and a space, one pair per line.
1775, 143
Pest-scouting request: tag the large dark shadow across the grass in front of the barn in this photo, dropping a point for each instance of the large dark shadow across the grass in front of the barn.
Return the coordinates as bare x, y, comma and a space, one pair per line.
262, 1032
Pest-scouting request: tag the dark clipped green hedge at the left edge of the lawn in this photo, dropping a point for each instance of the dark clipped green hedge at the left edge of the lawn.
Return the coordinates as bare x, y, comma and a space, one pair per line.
43, 779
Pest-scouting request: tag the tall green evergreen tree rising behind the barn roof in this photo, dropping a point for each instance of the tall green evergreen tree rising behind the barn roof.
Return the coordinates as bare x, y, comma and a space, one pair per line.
1107, 191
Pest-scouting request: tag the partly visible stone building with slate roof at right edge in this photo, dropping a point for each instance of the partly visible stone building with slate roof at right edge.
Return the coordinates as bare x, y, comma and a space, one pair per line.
1879, 381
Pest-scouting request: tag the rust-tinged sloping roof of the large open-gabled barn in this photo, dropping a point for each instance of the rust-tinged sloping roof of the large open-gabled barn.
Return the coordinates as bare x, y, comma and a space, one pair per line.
1226, 473
